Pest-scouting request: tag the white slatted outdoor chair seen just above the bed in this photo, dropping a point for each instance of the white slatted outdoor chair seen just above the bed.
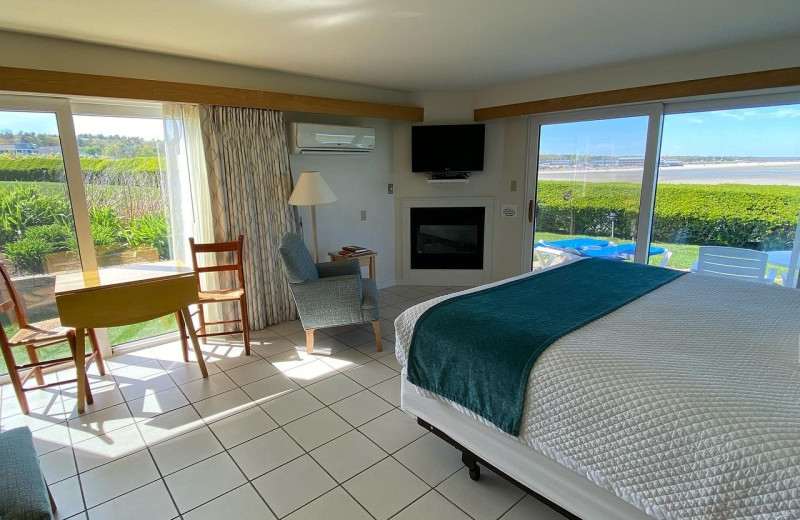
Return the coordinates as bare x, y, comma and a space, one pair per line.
735, 263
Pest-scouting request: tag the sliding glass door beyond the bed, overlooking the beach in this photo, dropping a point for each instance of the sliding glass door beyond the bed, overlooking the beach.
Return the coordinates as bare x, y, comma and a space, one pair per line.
656, 183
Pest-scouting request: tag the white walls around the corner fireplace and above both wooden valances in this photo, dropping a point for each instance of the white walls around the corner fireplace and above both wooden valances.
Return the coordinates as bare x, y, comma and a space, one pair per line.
361, 182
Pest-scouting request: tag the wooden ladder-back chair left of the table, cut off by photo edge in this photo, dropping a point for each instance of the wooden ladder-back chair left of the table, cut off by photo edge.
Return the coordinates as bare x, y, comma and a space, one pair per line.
34, 336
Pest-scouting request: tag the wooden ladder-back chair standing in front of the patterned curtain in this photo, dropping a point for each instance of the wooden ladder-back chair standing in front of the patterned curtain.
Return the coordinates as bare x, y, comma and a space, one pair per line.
236, 293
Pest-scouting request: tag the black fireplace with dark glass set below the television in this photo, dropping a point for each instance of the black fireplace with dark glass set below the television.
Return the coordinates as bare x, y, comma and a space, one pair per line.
447, 238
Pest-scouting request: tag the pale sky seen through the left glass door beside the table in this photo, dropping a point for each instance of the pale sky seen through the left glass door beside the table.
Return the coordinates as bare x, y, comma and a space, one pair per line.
45, 123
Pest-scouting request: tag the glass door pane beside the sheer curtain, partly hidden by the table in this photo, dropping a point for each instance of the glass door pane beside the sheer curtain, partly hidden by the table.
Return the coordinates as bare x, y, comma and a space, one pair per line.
124, 176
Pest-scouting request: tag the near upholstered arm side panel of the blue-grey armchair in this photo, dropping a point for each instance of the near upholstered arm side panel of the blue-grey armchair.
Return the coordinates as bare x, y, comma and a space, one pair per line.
329, 301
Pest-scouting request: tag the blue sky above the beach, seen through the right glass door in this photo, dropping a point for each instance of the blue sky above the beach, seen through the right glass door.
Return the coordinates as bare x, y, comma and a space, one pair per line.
748, 132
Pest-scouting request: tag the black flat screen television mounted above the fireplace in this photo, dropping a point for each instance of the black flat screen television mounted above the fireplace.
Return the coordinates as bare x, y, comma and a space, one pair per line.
447, 148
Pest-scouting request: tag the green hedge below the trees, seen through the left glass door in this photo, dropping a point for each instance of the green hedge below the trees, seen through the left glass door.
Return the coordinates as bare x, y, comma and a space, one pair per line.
95, 171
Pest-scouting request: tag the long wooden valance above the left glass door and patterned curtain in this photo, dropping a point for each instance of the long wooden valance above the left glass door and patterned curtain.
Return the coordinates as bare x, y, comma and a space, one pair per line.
75, 84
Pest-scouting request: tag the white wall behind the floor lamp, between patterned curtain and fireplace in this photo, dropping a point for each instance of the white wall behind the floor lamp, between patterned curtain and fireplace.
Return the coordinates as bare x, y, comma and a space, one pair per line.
360, 182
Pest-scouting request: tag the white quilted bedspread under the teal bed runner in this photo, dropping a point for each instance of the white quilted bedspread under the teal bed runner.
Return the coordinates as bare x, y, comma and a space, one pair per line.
685, 402
